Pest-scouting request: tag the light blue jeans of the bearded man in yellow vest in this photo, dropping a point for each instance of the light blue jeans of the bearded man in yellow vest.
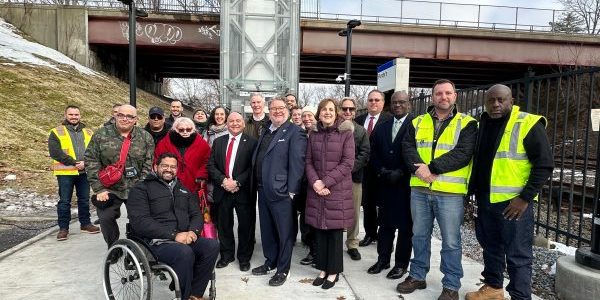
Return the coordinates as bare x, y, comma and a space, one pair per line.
449, 211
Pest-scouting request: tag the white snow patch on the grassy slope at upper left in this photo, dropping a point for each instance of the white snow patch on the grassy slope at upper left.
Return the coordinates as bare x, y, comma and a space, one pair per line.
15, 48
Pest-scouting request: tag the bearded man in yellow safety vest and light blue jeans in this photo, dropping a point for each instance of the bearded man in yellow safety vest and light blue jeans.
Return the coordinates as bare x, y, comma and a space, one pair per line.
438, 148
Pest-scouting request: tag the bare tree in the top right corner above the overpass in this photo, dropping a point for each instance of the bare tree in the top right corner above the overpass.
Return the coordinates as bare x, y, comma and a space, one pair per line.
585, 11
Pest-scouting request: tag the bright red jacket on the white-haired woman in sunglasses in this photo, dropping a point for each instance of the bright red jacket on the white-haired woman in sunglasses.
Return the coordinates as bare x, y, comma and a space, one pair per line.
193, 164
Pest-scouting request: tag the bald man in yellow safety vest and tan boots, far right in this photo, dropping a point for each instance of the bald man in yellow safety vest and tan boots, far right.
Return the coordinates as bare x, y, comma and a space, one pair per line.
511, 162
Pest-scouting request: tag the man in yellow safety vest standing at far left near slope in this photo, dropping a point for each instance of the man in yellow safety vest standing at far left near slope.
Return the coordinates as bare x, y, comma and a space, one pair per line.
67, 144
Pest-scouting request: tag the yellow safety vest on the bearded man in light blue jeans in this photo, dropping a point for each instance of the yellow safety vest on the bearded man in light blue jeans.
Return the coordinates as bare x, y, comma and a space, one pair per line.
456, 181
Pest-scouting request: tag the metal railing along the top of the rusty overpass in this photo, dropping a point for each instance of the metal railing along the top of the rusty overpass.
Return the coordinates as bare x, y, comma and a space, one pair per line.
415, 12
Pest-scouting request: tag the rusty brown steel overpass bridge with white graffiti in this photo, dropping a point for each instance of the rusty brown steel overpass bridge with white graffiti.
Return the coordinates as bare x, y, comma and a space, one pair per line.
186, 45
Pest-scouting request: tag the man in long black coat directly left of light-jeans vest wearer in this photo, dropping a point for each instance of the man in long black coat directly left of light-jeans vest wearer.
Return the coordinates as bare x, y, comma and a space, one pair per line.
392, 189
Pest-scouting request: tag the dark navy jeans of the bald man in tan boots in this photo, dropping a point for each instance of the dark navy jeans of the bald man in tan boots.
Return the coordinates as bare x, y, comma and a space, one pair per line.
507, 244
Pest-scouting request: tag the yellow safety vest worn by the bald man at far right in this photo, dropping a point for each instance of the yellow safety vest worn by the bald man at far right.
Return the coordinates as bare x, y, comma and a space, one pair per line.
511, 166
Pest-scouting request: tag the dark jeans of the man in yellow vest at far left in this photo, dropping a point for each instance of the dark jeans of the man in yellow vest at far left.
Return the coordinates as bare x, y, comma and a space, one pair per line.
66, 183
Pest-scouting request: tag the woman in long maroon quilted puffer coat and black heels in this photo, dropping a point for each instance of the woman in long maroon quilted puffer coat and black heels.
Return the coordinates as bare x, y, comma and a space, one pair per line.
329, 205
